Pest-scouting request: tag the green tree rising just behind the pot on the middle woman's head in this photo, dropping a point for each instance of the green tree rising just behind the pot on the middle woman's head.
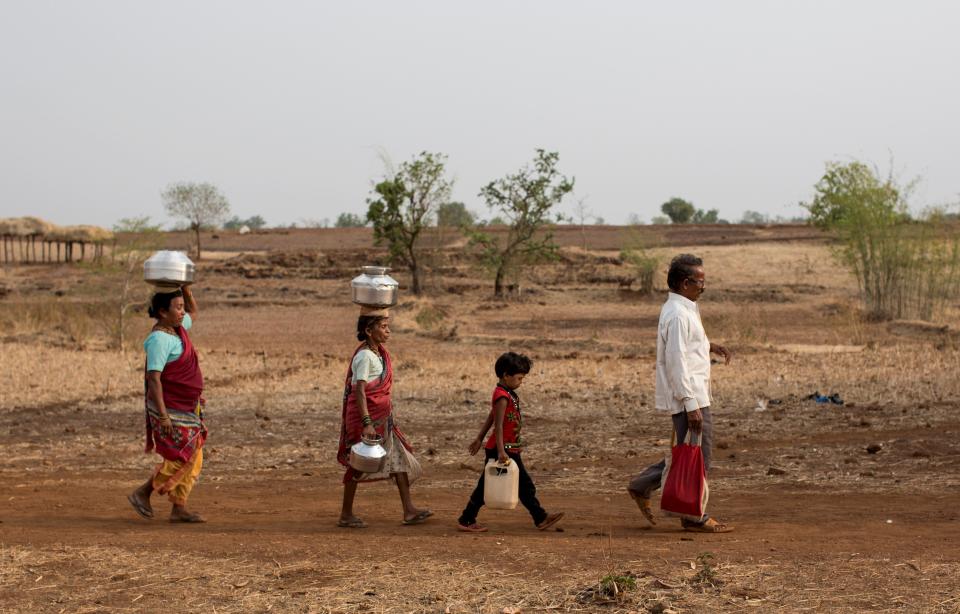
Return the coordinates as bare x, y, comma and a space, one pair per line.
403, 207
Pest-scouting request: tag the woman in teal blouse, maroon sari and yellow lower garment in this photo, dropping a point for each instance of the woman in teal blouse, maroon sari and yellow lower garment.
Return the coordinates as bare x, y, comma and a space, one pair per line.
173, 386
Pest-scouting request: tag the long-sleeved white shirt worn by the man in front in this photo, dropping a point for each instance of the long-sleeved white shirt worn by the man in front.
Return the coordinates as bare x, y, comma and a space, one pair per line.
683, 357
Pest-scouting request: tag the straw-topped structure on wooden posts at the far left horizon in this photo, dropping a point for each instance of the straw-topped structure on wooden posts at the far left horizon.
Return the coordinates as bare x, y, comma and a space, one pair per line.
22, 236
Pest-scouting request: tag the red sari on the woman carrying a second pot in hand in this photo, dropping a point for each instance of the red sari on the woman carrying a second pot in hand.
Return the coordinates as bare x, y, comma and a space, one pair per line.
380, 408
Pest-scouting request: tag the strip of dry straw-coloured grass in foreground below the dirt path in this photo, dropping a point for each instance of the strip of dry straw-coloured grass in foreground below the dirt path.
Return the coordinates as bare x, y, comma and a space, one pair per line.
95, 579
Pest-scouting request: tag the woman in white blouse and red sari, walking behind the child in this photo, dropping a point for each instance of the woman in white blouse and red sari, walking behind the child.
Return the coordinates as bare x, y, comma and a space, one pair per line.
368, 411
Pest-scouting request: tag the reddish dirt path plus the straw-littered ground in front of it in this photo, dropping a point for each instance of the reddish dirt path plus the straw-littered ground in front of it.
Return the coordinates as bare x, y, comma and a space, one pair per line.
88, 545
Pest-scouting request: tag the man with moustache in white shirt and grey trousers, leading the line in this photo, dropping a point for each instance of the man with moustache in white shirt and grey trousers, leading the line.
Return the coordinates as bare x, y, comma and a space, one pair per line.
683, 379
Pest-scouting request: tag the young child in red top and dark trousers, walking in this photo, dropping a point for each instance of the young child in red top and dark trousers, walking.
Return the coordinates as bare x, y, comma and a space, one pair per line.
506, 444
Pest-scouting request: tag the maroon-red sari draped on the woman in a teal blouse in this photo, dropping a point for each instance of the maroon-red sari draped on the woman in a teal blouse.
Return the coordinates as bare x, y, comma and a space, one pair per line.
182, 384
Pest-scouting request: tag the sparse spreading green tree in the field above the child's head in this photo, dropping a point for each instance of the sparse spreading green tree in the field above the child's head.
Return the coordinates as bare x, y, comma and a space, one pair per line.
526, 201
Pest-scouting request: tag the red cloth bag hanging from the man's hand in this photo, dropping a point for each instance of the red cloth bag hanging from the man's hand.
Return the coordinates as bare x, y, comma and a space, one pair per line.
684, 491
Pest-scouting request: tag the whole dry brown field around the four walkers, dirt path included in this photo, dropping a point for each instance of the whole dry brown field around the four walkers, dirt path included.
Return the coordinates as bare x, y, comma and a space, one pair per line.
821, 523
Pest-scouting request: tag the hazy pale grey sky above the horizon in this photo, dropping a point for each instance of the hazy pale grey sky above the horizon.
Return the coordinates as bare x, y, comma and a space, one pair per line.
734, 105
